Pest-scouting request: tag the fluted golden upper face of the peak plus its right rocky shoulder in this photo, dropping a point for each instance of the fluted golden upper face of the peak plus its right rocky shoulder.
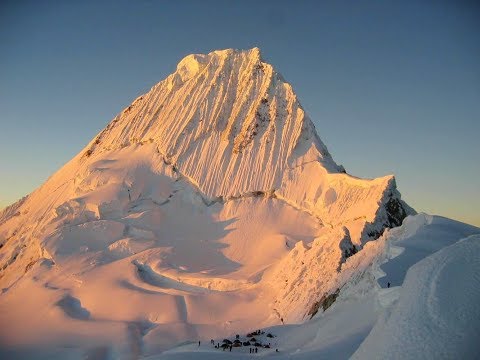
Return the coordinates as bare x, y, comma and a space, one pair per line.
231, 124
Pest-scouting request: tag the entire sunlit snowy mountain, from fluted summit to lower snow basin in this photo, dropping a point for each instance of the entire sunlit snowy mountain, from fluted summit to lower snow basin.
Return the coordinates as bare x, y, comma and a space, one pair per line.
208, 205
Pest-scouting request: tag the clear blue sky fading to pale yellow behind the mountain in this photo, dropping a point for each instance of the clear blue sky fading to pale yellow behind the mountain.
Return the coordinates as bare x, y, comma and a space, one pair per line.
392, 86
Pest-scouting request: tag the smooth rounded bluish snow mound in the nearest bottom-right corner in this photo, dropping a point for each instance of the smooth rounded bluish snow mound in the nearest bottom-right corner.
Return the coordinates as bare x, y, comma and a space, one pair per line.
437, 315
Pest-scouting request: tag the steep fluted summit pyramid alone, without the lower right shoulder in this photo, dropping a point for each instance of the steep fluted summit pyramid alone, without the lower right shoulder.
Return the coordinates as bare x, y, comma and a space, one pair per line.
218, 117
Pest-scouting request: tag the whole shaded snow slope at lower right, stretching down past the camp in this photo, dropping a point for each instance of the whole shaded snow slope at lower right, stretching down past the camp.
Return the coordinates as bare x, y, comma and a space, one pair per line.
432, 314
